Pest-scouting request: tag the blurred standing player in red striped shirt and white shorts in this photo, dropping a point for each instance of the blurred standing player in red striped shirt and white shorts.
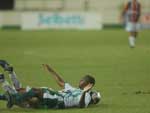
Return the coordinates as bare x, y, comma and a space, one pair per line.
131, 14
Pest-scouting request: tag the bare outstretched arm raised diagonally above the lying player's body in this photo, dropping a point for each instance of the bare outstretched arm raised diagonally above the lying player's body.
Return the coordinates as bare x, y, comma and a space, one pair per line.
57, 77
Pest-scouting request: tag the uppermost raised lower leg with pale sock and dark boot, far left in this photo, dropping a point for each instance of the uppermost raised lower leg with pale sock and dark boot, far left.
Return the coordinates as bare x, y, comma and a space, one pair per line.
5, 65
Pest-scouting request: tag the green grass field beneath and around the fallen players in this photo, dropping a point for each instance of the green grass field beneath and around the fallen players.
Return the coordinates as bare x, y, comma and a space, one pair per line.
120, 71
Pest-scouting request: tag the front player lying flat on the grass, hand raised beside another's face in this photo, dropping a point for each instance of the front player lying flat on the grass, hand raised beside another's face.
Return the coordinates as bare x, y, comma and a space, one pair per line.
46, 98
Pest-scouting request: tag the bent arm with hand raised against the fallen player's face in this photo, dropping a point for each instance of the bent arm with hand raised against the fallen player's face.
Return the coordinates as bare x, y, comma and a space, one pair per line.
82, 103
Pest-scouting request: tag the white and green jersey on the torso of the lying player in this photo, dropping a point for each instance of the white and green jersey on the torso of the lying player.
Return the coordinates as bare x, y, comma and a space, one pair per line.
69, 95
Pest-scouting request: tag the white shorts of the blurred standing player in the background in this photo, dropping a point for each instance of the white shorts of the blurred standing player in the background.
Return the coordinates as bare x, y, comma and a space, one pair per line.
132, 27
